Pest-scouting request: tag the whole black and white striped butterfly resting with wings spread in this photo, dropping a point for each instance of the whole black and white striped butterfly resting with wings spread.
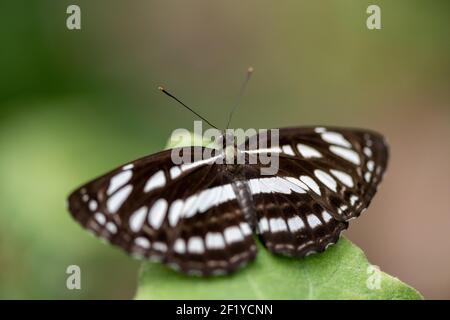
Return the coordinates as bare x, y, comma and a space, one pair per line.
201, 218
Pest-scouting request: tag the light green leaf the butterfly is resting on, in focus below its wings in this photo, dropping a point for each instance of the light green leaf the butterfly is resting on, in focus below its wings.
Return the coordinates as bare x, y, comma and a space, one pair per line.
341, 272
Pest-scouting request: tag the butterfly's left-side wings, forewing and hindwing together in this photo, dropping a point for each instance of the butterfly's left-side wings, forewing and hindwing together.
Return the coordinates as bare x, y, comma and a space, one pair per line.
186, 216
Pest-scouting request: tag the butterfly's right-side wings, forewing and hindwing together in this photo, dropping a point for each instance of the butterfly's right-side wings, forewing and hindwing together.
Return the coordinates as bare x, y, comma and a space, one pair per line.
326, 177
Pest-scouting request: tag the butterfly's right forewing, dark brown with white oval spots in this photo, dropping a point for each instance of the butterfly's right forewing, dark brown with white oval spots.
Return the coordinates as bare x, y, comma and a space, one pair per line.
339, 168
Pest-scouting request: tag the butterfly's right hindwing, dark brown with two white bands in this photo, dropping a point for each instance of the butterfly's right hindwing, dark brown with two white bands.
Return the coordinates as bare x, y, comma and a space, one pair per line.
289, 220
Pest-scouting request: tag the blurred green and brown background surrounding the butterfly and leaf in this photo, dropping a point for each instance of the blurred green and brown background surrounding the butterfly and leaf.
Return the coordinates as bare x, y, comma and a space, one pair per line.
75, 104
